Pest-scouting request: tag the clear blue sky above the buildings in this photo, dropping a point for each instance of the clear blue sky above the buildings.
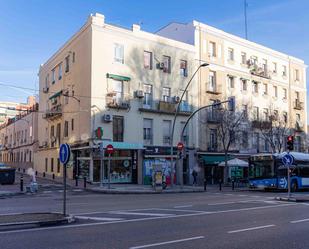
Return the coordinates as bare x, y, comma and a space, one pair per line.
32, 30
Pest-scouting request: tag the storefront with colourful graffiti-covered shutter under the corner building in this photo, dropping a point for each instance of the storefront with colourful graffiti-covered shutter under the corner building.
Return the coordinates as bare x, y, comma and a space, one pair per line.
158, 155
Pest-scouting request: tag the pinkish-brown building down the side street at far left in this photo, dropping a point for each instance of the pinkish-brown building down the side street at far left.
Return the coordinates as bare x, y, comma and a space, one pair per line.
19, 139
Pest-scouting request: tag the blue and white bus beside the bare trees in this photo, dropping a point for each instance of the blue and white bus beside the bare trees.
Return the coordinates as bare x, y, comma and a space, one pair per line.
266, 171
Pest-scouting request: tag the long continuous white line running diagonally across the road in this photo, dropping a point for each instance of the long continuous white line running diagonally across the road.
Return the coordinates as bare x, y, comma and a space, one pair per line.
145, 219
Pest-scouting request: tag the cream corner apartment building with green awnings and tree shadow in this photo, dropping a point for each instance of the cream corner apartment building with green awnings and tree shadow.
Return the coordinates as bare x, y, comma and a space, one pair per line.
112, 85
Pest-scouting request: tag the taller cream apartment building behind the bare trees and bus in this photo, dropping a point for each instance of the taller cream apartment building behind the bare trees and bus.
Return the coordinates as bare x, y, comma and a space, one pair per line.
268, 87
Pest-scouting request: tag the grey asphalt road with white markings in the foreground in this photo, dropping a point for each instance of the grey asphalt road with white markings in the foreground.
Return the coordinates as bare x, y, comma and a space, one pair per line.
198, 220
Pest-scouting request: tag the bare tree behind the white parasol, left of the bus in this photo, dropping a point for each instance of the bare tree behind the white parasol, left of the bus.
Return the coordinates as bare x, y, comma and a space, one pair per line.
231, 125
